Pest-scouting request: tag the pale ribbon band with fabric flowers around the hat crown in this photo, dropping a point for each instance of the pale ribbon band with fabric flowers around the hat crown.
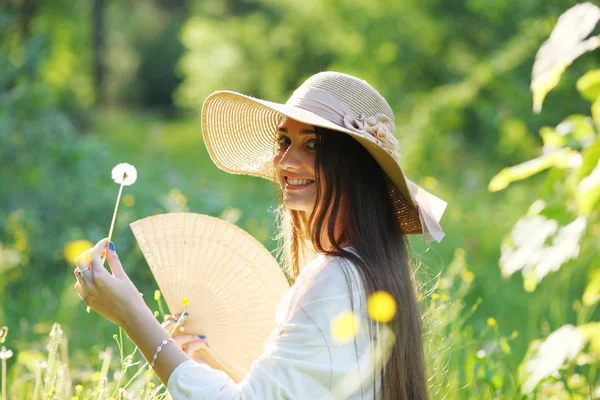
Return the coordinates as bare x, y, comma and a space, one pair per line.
377, 128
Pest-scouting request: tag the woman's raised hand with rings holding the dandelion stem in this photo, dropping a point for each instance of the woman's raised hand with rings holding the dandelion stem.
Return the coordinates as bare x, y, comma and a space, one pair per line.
113, 296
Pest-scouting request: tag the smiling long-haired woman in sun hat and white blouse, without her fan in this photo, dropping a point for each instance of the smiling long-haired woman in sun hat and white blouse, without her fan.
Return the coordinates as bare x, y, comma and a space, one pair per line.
346, 210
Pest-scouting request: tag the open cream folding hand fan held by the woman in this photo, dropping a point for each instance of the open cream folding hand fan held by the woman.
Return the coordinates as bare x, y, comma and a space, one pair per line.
232, 281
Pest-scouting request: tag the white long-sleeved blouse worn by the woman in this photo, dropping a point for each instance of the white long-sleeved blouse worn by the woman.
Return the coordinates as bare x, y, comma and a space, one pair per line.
301, 359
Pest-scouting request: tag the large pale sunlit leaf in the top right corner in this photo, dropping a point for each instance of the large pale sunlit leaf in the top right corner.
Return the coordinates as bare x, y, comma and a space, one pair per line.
566, 43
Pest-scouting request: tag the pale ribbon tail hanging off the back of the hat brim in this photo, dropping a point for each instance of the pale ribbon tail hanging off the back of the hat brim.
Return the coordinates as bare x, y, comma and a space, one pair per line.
431, 209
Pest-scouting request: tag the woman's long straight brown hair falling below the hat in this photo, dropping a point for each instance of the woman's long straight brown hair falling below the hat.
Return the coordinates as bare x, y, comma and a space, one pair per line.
356, 186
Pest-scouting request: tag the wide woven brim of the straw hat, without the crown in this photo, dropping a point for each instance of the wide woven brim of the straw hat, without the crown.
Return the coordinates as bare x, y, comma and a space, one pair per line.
240, 135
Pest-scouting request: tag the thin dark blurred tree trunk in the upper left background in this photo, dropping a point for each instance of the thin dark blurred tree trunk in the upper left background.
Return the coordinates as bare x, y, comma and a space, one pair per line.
98, 47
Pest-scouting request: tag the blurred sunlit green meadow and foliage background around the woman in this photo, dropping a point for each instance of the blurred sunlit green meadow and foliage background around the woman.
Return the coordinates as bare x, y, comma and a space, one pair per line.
509, 297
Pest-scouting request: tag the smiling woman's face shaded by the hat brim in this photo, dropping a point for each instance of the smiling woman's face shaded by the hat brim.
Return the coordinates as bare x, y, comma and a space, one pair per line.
295, 164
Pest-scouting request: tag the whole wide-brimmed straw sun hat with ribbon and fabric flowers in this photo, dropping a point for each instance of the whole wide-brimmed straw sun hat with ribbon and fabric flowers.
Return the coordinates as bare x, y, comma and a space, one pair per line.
240, 135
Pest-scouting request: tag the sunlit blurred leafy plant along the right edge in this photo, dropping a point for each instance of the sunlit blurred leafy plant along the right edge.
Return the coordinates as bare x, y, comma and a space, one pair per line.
572, 190
